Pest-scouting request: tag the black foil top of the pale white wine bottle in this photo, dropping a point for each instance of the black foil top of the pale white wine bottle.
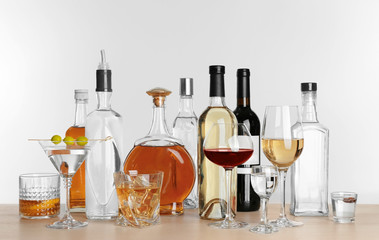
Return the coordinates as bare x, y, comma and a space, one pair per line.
217, 88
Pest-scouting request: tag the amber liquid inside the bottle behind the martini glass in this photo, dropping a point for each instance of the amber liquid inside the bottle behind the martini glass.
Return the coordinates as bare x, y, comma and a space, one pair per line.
77, 191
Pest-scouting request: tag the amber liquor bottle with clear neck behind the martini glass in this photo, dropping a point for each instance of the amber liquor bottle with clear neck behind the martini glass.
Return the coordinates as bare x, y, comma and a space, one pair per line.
77, 190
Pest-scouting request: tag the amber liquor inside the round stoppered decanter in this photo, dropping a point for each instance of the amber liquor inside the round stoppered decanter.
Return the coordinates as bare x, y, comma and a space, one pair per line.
178, 170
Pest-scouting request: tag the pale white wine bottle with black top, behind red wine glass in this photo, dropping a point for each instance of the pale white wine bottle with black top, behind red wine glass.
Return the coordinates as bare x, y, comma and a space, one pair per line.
212, 185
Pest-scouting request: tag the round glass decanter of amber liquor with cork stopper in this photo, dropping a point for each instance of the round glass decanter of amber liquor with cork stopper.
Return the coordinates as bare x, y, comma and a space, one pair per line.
159, 151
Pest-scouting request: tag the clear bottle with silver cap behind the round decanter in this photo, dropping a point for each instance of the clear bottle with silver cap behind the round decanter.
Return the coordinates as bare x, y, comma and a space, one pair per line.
185, 129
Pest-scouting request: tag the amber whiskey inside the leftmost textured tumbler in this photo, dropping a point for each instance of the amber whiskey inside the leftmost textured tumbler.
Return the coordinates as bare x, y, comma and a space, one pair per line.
39, 208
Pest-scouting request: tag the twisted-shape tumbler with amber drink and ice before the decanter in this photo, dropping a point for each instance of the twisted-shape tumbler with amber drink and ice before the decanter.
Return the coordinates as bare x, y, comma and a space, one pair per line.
139, 198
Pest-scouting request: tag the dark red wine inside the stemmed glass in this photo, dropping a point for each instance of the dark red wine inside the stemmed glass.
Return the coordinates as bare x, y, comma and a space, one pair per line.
227, 158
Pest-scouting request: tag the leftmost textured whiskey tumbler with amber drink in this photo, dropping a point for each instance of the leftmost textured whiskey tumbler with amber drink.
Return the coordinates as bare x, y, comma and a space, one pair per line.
39, 195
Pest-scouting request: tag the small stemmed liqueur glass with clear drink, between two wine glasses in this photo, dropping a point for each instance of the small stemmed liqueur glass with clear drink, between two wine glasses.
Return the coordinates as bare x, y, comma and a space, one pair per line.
264, 180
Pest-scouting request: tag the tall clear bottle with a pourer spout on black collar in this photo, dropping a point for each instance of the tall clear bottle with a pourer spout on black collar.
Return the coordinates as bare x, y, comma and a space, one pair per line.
105, 158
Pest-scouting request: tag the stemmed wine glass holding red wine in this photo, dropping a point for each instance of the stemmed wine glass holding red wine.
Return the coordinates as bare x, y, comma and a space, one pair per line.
228, 145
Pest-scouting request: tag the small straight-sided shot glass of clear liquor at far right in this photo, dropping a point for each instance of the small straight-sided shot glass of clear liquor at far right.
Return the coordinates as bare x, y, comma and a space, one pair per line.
343, 204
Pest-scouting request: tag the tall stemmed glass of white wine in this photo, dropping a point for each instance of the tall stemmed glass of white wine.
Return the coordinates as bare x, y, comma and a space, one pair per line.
282, 143
